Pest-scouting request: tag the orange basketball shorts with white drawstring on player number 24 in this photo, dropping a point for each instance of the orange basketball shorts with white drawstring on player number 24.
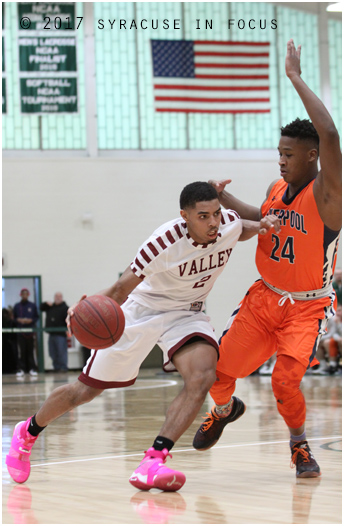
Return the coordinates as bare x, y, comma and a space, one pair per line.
259, 327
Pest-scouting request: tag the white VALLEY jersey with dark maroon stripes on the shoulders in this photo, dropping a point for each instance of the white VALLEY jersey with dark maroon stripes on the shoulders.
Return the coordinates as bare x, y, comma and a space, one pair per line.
178, 273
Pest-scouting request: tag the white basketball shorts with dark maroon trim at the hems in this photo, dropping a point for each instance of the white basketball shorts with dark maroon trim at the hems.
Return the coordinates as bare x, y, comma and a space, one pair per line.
118, 365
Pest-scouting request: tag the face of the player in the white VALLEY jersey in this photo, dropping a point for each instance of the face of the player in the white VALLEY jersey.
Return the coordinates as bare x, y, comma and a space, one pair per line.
203, 221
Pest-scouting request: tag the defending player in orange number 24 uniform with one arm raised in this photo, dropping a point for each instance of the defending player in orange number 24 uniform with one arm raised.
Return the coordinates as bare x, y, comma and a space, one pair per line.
288, 308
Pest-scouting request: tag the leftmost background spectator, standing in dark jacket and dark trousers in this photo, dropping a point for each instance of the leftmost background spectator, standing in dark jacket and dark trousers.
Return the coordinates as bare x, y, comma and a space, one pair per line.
25, 315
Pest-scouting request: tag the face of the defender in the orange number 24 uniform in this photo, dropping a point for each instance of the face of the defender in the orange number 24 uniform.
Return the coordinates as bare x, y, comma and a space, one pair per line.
296, 160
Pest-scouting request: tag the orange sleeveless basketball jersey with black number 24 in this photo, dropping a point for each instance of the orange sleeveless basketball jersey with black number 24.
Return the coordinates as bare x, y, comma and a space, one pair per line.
303, 255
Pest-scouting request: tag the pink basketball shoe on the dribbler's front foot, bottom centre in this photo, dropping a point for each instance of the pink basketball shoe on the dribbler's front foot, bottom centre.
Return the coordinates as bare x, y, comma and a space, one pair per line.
152, 473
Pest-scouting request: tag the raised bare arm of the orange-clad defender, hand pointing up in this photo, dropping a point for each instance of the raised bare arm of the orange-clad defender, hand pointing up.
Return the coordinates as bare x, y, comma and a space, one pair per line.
328, 185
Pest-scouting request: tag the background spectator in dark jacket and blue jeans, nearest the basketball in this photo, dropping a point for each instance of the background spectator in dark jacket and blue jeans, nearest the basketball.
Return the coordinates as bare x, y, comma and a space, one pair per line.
56, 314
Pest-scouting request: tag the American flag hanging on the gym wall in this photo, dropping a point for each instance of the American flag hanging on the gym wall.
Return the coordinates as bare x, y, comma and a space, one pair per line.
201, 76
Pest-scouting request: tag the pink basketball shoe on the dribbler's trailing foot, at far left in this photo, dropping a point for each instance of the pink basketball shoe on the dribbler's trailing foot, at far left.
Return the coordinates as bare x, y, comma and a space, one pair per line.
18, 459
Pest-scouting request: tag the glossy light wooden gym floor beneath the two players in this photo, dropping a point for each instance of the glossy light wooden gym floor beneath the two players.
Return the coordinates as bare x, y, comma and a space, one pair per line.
81, 463
